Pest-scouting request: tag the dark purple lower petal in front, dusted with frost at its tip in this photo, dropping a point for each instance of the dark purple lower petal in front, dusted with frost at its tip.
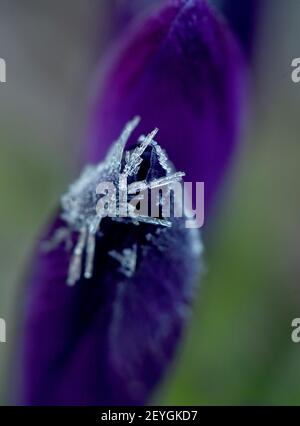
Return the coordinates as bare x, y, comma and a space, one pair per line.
108, 340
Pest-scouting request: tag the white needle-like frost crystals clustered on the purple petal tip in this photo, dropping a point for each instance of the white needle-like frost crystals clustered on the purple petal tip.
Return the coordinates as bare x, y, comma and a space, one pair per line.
79, 203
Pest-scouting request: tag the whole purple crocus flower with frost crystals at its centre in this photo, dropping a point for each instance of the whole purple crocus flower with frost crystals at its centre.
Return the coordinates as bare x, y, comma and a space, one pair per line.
109, 336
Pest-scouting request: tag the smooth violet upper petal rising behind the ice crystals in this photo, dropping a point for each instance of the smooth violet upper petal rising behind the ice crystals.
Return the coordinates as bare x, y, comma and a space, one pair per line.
182, 72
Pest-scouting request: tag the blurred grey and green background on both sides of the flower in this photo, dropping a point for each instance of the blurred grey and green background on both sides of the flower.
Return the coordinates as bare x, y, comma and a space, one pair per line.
238, 348
